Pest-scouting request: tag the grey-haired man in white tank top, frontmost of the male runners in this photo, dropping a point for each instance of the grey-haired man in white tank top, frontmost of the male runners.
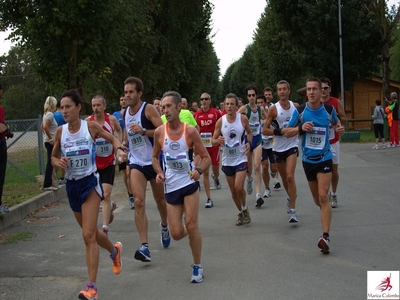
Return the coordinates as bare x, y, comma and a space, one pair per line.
180, 176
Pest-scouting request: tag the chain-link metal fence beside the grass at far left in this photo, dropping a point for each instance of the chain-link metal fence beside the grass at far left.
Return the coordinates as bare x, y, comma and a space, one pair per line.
25, 150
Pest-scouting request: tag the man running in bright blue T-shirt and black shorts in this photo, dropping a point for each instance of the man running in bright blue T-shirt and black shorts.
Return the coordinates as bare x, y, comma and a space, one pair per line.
313, 120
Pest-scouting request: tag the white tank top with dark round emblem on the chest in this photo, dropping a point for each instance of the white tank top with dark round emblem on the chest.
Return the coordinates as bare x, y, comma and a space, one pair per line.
233, 153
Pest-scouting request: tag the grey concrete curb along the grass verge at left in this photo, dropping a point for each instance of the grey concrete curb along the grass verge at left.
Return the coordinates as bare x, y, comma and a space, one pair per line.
19, 212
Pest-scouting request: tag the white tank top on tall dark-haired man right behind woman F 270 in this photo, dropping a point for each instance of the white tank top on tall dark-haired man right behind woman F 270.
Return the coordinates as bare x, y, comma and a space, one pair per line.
140, 147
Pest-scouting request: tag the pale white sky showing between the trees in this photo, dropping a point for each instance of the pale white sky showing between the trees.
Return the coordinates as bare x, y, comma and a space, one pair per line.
233, 25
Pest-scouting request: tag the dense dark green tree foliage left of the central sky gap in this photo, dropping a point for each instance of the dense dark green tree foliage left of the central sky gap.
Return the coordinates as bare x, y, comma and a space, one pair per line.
95, 45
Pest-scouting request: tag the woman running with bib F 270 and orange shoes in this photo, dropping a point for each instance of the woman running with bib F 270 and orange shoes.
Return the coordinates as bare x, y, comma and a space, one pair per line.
74, 150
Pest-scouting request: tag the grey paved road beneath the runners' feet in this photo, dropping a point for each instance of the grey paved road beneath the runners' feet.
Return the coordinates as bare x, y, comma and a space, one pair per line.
268, 259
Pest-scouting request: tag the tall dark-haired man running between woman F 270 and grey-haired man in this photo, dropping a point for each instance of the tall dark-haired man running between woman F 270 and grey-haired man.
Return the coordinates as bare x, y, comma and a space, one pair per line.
141, 120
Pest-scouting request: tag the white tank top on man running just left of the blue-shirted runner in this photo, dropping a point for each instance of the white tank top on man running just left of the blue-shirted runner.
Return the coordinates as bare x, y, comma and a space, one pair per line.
282, 143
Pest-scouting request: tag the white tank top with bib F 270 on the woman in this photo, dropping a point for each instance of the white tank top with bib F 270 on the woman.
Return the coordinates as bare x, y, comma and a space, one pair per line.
80, 148
